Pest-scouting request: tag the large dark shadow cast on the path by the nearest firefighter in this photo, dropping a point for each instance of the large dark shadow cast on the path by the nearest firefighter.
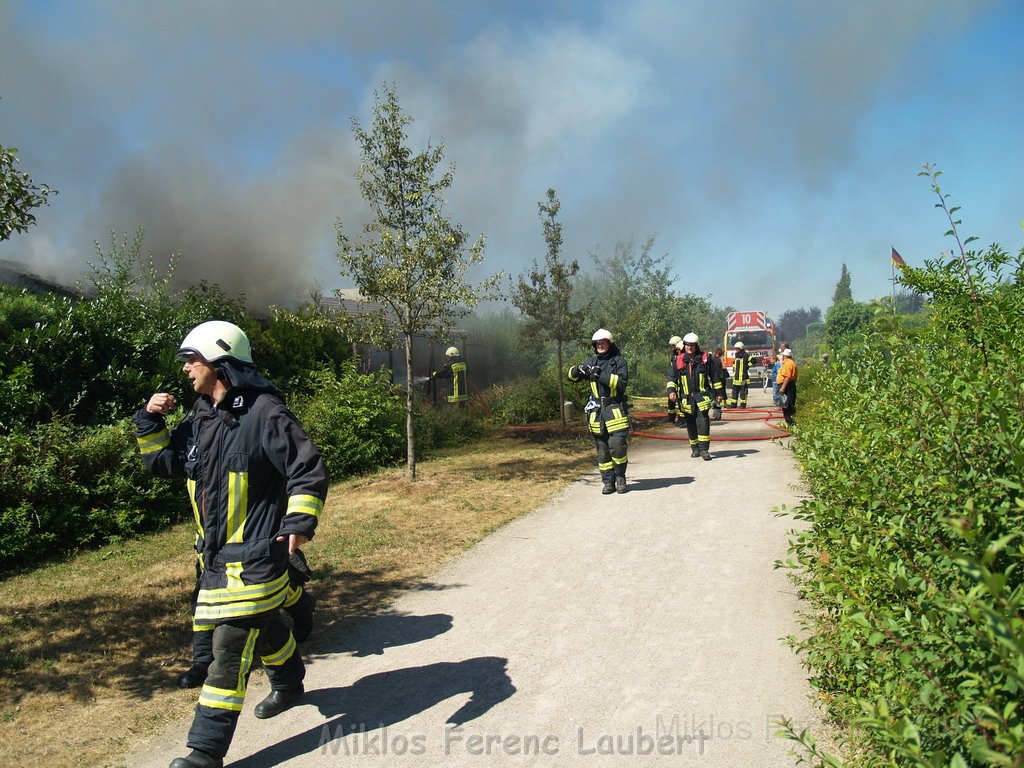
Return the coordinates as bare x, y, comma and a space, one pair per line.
389, 698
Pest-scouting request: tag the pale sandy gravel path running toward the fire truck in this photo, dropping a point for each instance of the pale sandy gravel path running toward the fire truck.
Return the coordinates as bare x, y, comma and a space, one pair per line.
598, 631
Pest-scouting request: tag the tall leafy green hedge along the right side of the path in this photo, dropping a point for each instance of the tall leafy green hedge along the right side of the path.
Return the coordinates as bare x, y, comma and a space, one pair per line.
912, 556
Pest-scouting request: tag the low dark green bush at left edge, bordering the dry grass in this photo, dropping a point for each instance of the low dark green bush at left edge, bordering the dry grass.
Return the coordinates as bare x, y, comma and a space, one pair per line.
64, 488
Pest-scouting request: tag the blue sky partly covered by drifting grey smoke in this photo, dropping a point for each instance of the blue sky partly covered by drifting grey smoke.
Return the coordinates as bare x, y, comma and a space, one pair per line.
763, 145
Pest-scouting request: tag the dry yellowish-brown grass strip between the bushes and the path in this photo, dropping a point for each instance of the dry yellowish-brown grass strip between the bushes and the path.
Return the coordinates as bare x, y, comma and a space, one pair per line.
90, 649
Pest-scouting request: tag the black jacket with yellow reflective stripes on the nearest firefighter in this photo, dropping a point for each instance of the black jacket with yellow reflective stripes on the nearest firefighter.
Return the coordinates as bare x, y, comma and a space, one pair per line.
252, 475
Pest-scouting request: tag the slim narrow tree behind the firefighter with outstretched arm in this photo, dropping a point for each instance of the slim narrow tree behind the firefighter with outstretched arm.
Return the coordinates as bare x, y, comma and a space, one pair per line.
545, 294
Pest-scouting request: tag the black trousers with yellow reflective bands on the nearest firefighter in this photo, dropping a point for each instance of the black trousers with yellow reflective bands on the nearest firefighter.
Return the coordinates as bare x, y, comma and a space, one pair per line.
236, 646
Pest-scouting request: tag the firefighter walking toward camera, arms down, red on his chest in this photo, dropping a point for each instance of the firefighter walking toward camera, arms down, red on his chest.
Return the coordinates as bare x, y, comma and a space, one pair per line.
694, 386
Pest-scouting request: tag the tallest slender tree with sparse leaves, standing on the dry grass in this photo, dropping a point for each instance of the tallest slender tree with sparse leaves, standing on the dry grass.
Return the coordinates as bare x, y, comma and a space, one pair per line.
412, 261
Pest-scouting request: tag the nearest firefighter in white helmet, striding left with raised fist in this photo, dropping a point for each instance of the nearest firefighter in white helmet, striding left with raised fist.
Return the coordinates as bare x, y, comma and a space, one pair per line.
258, 486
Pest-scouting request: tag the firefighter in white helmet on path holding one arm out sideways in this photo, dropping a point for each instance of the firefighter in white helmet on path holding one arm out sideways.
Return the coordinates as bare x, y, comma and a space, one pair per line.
607, 416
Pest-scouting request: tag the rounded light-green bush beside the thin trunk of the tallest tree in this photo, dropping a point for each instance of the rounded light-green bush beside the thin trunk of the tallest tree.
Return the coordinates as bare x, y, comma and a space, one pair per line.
357, 420
